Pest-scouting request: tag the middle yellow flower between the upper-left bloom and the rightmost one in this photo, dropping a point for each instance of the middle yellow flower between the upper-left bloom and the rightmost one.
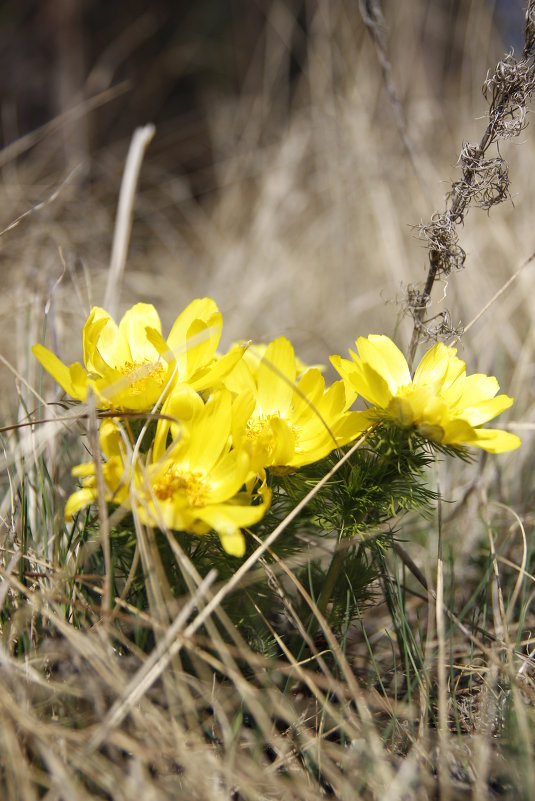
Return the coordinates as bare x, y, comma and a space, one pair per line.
288, 423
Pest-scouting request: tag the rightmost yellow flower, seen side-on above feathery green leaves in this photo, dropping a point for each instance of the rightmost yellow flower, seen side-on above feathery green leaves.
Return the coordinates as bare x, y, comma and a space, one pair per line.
441, 401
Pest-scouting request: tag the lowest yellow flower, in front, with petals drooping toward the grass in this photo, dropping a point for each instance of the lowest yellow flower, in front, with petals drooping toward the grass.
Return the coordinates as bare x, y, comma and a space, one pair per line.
195, 484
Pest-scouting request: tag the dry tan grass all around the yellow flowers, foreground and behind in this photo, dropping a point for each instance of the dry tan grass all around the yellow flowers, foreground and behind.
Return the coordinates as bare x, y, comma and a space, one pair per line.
301, 223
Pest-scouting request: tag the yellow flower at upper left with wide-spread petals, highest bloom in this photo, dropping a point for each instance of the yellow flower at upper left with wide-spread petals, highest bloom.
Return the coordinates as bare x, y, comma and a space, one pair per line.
131, 366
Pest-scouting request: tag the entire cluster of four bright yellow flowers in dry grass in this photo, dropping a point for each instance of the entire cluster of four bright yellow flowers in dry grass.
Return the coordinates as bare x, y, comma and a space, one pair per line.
225, 422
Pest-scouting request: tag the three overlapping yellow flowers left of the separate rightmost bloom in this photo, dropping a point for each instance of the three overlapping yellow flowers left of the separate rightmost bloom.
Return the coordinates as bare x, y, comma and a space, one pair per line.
223, 420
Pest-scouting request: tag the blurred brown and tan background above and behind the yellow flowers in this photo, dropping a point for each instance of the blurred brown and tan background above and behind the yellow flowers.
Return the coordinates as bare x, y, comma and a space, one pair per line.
284, 179
